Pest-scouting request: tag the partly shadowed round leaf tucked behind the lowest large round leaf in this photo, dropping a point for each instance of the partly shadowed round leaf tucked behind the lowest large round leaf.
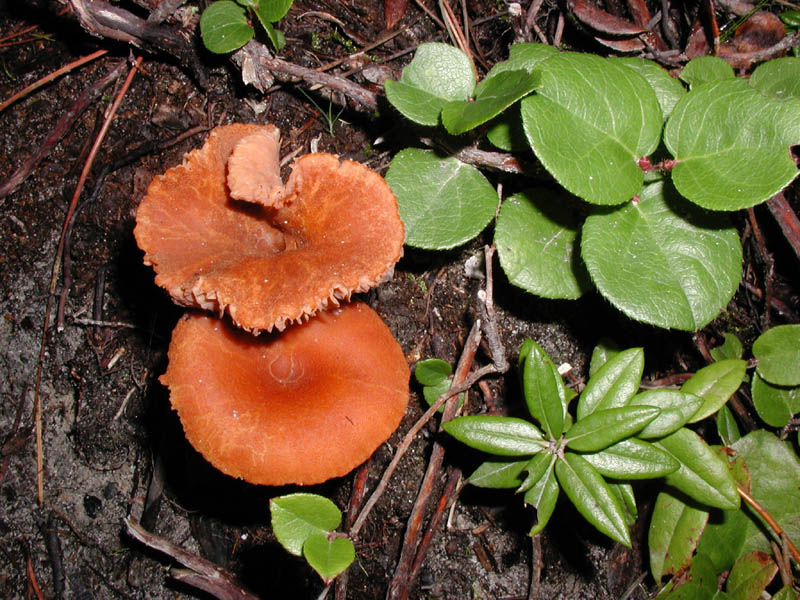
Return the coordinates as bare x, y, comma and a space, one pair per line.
537, 242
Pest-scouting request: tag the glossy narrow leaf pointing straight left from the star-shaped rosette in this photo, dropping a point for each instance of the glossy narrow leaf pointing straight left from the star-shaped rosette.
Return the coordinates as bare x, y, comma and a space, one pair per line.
505, 436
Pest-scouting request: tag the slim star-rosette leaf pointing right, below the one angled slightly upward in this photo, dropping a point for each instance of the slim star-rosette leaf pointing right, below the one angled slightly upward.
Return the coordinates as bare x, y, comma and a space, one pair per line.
632, 459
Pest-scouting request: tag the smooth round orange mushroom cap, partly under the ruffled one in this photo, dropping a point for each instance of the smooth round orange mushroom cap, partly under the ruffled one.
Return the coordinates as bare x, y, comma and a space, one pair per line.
301, 407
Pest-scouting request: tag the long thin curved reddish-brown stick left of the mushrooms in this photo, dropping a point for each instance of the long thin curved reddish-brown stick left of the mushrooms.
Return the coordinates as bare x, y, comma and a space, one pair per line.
54, 279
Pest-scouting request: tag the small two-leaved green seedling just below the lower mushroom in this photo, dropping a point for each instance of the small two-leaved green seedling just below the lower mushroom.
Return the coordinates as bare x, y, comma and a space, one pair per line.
305, 526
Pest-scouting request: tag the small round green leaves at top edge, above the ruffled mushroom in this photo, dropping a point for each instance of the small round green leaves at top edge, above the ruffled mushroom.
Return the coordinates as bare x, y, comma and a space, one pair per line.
225, 26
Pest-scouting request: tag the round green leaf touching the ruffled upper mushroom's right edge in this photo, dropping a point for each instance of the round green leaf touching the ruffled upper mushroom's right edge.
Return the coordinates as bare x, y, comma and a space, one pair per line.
443, 202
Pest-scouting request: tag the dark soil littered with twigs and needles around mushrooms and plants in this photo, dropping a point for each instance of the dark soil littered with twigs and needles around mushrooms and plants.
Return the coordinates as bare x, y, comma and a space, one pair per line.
112, 446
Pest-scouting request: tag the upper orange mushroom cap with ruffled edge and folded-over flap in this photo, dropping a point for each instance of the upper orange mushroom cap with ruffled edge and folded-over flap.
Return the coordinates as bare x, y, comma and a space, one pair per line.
332, 231
